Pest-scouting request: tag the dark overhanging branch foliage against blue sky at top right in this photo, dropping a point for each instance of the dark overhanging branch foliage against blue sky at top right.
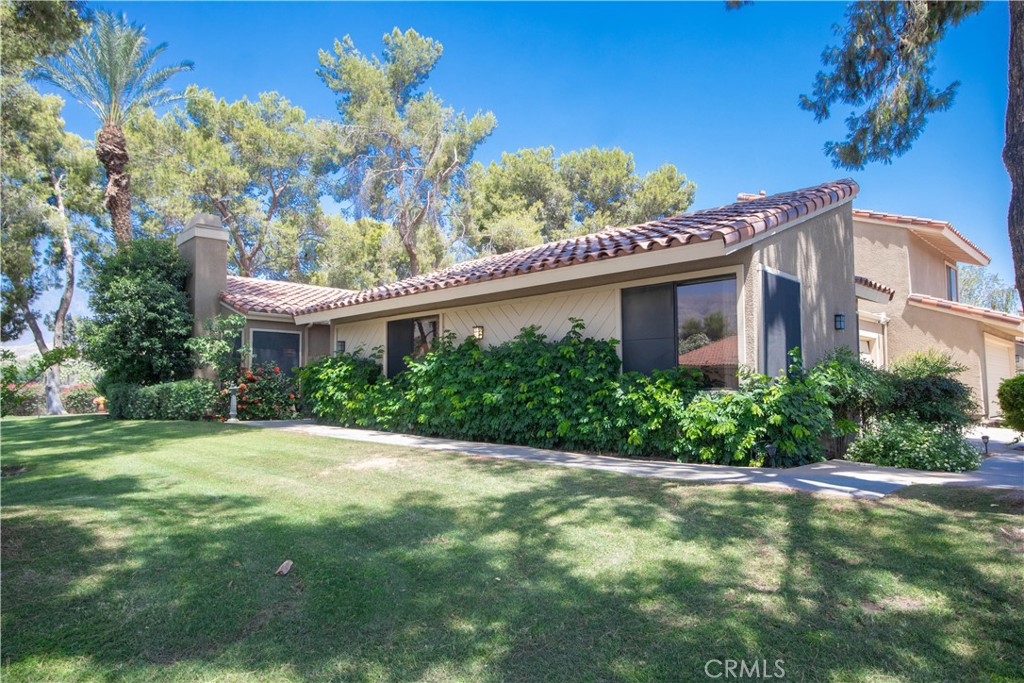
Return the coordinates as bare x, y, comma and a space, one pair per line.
884, 67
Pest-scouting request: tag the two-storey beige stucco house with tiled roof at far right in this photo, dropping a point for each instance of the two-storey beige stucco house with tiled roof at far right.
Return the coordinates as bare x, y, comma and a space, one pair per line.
914, 265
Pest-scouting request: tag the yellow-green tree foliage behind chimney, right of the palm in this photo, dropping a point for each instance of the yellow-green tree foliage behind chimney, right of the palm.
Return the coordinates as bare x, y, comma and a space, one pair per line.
262, 166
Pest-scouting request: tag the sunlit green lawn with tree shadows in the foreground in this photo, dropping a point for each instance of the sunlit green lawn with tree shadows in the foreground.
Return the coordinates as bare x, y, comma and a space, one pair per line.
146, 551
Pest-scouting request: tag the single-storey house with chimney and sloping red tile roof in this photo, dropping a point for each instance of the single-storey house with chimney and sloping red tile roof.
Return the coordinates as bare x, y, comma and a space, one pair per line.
738, 285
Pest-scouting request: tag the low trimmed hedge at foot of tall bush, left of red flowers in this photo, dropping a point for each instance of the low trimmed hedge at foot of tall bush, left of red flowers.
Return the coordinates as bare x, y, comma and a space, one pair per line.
186, 400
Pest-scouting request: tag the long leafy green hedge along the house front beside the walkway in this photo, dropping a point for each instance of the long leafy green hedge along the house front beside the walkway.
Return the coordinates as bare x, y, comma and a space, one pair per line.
570, 395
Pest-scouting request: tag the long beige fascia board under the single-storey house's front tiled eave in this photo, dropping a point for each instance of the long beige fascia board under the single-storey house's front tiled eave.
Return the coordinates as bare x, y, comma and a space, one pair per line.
450, 296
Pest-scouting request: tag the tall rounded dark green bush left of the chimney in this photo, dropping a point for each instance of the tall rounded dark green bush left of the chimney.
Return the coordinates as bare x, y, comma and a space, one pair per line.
142, 322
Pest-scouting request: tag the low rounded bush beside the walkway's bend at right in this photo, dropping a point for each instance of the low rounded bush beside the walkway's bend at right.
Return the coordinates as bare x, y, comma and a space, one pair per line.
902, 441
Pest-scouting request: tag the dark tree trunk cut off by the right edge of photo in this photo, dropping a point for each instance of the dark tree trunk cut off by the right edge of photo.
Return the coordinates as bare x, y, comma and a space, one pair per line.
1013, 153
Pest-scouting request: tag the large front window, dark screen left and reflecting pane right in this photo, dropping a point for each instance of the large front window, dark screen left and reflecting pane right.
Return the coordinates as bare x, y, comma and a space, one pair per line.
691, 323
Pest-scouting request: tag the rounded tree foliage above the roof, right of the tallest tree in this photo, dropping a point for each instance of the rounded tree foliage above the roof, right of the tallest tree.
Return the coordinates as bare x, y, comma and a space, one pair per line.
533, 196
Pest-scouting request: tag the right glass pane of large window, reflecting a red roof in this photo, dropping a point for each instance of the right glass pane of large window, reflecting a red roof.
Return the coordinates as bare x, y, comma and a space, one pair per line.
707, 330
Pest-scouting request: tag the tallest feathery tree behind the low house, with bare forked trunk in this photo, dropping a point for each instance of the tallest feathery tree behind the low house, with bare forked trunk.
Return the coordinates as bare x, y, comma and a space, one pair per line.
409, 150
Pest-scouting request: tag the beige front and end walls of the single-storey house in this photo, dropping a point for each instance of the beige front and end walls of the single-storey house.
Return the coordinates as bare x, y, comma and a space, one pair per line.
817, 251
